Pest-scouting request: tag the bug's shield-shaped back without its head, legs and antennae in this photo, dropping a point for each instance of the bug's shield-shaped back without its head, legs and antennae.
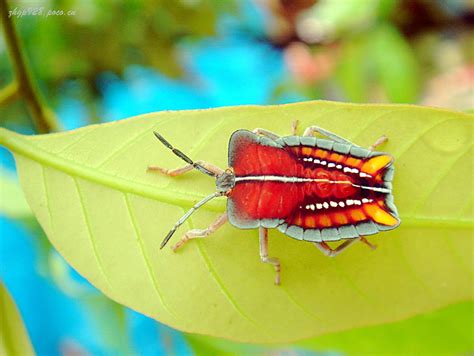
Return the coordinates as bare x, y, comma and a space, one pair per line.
309, 188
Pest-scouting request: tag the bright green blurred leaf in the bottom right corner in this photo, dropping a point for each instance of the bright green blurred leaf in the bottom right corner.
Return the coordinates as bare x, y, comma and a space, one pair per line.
445, 331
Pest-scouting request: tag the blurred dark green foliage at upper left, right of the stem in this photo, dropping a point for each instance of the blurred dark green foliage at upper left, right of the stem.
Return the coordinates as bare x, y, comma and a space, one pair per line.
60, 47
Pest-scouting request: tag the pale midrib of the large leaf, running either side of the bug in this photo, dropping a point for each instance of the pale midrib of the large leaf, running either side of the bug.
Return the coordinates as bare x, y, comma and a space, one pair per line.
17, 143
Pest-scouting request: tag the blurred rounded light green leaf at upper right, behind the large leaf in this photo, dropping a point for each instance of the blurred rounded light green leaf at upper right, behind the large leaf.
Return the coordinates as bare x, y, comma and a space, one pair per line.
376, 61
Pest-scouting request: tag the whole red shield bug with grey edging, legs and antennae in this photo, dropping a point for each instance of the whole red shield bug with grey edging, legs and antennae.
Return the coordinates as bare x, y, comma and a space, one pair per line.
309, 188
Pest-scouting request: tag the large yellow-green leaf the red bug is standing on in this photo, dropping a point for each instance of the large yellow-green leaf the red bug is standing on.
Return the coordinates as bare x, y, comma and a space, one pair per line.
106, 215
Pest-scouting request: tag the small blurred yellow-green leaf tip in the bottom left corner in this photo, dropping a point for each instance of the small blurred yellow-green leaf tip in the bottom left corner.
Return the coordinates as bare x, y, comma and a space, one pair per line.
14, 339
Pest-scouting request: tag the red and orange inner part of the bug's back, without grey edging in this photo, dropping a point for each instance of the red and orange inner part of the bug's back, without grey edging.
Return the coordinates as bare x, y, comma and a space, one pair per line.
257, 200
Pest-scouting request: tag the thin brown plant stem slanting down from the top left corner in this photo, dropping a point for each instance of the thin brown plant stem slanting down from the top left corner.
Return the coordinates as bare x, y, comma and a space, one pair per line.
43, 118
